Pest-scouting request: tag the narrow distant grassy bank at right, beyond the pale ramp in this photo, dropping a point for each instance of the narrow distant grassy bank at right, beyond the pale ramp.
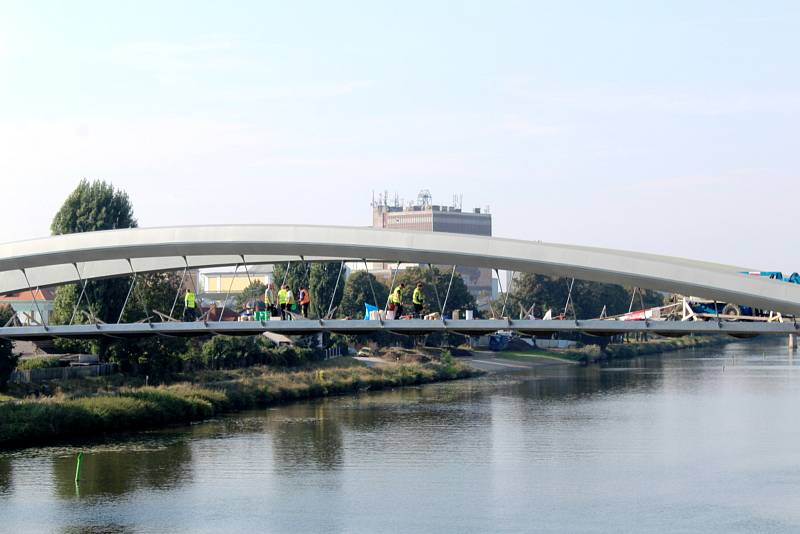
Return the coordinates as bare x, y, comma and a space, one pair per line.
621, 351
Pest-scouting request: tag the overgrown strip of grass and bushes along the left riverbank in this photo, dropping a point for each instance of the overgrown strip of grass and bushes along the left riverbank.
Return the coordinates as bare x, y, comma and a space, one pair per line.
42, 421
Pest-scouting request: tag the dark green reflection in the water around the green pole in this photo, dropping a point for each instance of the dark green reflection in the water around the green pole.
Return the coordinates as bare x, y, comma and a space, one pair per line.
122, 470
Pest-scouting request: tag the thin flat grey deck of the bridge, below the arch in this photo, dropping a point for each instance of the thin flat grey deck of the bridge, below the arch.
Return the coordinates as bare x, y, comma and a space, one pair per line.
410, 327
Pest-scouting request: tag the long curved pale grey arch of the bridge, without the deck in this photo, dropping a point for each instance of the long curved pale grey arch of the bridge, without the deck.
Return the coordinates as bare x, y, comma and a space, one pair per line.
69, 258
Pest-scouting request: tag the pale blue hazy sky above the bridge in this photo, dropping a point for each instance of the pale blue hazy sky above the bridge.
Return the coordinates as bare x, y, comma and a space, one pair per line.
664, 127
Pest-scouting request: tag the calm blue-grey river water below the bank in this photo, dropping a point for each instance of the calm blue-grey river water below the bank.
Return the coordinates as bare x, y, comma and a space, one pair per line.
696, 441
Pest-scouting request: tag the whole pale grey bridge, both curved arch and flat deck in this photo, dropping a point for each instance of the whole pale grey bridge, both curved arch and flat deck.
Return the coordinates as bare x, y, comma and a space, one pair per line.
80, 258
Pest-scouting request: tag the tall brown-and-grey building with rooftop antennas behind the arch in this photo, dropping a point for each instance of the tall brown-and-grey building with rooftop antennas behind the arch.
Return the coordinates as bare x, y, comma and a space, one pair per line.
425, 216
